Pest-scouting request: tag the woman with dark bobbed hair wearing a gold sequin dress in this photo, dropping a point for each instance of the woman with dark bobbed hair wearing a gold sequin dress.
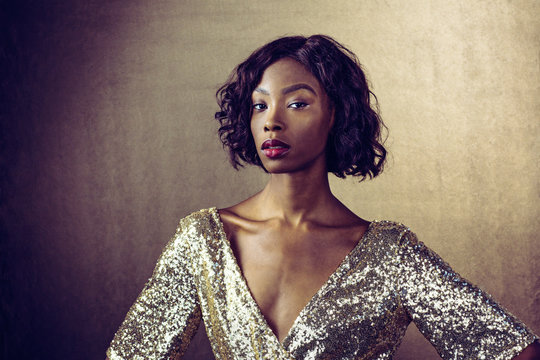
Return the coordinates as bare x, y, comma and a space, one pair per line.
291, 273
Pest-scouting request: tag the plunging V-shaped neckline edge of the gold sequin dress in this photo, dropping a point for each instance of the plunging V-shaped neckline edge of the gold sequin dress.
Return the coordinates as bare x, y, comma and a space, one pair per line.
332, 279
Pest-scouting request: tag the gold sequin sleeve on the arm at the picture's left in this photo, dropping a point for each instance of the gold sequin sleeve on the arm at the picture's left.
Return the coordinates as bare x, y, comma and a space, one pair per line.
165, 316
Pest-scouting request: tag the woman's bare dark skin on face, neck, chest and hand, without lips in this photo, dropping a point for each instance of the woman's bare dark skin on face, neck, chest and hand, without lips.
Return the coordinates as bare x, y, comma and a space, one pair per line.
290, 237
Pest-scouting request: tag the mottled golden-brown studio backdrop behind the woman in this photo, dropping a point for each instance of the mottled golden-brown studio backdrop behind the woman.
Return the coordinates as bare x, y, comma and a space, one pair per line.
109, 138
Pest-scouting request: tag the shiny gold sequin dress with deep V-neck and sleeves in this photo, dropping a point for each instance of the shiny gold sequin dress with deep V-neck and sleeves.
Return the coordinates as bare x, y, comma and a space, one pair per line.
388, 280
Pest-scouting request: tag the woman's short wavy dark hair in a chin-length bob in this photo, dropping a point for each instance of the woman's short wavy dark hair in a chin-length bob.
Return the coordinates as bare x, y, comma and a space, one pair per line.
355, 144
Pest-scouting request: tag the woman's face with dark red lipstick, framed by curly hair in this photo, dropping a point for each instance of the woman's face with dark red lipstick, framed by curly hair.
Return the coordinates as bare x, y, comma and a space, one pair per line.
291, 118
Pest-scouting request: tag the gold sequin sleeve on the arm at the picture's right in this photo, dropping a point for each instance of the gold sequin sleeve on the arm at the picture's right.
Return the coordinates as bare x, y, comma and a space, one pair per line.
459, 319
